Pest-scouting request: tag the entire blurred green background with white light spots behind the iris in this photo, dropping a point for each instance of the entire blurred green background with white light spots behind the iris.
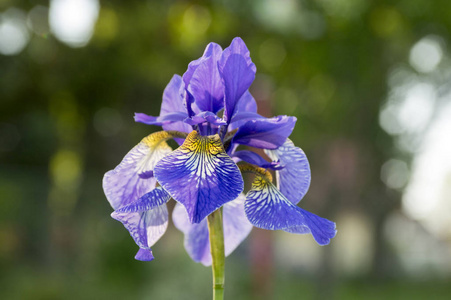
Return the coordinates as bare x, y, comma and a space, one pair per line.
369, 82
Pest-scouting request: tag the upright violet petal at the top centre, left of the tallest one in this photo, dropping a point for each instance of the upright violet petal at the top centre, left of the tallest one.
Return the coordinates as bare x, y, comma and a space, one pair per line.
206, 84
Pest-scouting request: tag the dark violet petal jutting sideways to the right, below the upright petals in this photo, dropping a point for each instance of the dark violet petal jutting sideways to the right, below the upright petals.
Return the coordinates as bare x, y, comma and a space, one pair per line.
265, 133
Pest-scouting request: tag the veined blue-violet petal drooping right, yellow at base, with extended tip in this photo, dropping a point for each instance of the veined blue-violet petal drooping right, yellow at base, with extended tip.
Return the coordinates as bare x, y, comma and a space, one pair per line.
266, 207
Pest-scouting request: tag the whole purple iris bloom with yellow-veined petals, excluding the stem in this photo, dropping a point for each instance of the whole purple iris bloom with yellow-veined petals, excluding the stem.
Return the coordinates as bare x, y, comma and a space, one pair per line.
210, 112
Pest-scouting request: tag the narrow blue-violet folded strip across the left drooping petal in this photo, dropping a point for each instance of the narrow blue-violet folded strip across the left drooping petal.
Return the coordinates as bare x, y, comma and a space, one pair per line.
152, 199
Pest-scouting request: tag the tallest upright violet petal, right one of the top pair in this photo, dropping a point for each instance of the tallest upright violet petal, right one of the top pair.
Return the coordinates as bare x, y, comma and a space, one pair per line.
238, 73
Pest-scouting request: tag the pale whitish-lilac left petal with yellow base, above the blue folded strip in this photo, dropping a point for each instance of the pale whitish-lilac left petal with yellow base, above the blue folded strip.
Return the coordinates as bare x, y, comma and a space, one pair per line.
124, 185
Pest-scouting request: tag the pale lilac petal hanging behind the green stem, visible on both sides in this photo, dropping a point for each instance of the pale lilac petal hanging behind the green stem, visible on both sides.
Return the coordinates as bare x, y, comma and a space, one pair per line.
197, 242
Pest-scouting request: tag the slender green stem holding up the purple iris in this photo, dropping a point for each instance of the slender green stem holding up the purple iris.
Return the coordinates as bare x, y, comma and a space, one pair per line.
217, 253
